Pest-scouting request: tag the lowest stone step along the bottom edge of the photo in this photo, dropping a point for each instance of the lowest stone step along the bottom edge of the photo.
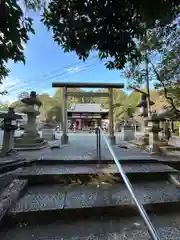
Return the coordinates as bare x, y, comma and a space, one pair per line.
99, 228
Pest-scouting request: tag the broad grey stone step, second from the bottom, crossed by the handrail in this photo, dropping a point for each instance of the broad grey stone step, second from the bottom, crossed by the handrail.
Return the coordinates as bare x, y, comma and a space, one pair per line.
61, 201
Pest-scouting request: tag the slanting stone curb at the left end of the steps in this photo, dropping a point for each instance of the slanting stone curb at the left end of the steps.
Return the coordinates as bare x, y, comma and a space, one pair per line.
10, 194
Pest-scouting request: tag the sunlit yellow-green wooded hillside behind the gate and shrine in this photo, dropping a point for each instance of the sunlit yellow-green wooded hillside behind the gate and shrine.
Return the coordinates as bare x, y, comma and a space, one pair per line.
52, 106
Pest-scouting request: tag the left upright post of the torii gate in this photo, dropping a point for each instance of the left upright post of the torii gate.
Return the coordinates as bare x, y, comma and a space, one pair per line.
64, 138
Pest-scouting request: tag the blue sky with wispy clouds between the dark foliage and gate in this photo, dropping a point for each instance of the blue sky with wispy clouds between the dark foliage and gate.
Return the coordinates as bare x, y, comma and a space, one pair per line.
46, 62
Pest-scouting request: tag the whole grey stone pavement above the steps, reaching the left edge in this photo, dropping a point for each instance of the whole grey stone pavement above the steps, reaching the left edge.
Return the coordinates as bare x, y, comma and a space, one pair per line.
82, 147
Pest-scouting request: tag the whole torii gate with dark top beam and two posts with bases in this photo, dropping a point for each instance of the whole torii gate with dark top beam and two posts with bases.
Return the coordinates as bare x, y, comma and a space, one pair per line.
110, 87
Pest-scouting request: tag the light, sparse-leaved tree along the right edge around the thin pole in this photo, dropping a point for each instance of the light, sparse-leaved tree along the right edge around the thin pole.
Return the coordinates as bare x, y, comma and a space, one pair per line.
163, 46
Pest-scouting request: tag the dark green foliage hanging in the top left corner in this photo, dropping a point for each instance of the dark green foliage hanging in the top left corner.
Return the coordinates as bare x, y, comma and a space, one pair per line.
14, 29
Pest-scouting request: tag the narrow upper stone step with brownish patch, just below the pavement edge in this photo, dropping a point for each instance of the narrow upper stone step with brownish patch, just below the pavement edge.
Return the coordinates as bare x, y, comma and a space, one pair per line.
85, 173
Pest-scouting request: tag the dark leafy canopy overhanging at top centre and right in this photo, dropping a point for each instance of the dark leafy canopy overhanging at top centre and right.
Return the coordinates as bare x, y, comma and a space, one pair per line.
109, 27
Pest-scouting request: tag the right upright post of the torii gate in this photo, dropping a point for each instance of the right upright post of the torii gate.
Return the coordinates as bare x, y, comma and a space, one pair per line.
112, 138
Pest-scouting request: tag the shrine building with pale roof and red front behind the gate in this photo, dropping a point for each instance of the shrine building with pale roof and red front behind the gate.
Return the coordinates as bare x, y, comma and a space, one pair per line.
86, 115
